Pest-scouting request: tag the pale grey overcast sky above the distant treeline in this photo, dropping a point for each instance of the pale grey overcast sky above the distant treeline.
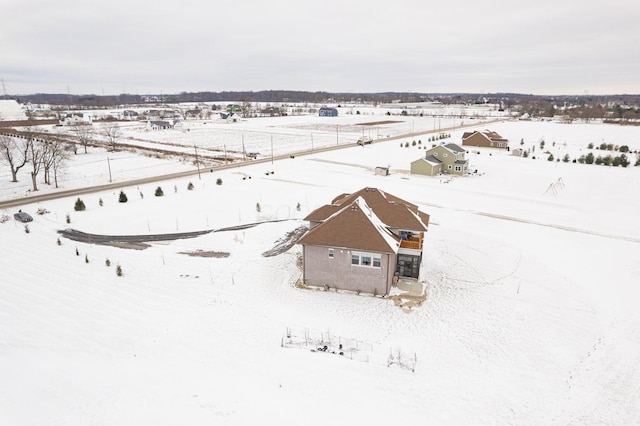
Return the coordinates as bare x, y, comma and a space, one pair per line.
155, 46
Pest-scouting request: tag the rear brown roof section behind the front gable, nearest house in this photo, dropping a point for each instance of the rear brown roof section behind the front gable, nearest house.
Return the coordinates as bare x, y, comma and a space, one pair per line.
394, 212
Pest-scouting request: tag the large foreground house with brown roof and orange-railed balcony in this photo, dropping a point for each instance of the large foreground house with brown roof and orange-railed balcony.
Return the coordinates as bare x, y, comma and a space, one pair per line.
363, 242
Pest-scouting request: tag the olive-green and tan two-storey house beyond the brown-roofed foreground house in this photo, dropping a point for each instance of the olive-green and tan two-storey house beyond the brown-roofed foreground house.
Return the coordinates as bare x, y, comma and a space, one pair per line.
447, 158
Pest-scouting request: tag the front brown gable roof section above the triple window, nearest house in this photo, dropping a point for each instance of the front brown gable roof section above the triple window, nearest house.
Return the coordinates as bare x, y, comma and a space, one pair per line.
354, 226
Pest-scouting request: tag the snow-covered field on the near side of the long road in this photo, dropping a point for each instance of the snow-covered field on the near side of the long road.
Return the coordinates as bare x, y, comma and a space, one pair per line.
530, 317
